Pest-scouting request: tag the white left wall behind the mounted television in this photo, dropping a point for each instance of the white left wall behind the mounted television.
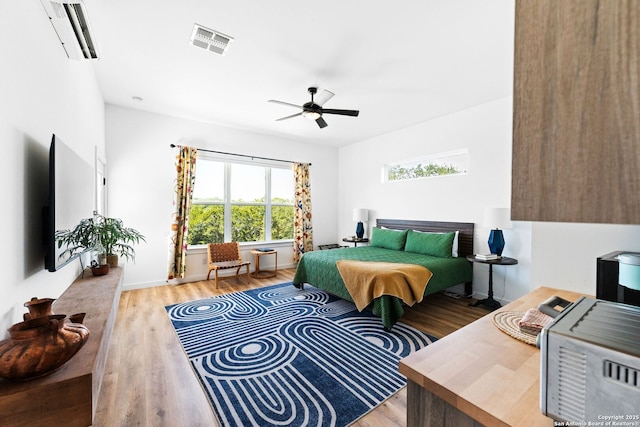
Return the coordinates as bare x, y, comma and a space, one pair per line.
43, 92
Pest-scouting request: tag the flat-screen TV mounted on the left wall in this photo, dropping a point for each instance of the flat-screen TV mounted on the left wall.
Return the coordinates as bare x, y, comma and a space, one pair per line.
71, 198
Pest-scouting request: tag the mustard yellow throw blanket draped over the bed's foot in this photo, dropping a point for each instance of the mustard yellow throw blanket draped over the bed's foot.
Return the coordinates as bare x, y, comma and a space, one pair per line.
366, 281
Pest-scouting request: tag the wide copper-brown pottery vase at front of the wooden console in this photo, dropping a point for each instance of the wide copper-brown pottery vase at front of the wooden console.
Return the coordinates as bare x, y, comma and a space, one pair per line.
39, 346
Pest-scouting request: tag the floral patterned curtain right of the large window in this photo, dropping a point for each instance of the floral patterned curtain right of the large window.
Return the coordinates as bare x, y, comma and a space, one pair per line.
303, 231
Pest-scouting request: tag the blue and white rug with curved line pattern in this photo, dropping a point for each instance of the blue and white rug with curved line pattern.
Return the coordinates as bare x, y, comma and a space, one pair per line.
283, 356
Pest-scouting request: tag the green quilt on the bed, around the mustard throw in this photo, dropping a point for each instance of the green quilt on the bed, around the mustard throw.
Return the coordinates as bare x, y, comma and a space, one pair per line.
319, 269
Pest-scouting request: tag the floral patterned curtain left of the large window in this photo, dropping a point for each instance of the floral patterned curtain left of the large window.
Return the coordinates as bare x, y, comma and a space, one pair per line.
185, 178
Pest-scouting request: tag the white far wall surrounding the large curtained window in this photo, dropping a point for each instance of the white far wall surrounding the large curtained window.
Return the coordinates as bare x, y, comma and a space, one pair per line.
141, 179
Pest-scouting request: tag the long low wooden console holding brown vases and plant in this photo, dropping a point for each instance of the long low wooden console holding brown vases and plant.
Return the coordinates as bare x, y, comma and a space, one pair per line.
69, 395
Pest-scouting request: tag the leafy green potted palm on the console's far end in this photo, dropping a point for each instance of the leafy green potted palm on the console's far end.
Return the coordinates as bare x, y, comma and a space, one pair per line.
110, 233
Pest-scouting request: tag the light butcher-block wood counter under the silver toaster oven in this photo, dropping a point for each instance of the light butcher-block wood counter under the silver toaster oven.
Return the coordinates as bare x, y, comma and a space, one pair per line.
478, 375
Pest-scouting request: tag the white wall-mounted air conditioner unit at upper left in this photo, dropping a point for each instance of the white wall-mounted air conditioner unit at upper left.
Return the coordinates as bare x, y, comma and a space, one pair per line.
71, 24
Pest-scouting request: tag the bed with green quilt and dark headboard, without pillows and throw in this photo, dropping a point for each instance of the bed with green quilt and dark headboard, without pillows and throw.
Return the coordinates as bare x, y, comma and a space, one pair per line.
319, 268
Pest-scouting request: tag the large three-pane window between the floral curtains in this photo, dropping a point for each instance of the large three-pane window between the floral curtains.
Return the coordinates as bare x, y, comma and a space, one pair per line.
243, 202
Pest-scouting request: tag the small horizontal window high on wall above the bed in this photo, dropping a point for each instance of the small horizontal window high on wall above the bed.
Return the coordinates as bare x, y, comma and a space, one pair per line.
451, 163
